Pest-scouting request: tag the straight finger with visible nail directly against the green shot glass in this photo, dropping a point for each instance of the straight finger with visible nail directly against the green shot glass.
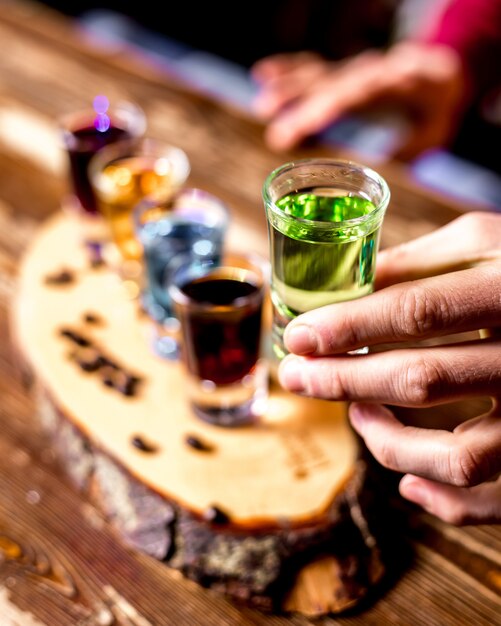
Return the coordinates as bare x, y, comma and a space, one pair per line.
434, 307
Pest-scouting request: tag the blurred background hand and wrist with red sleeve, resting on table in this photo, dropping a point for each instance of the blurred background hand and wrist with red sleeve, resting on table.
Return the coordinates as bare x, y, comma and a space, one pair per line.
432, 78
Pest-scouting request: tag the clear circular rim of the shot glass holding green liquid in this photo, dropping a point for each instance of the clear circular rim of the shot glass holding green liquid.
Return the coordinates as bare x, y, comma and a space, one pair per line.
319, 161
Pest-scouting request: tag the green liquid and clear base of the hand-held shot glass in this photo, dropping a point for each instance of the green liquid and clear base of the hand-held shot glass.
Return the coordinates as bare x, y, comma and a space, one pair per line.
313, 267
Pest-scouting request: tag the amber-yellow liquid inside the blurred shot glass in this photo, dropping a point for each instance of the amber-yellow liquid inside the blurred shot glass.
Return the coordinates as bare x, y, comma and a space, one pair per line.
121, 185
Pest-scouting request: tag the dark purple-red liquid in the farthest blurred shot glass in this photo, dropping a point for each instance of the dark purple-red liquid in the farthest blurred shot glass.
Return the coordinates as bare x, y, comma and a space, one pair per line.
82, 146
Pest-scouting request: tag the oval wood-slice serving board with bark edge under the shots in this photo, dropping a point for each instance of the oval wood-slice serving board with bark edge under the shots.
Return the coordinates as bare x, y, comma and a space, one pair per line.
272, 514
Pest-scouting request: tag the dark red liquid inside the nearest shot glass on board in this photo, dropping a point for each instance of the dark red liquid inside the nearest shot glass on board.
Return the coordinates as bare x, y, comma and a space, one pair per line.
224, 346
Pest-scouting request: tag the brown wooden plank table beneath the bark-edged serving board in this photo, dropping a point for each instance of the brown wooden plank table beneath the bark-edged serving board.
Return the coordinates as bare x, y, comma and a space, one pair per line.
60, 562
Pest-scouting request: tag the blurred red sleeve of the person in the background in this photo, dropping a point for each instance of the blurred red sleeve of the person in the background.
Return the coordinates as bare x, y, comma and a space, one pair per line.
473, 29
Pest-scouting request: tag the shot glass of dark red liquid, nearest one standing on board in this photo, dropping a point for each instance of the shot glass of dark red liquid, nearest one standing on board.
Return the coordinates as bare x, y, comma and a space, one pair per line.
220, 309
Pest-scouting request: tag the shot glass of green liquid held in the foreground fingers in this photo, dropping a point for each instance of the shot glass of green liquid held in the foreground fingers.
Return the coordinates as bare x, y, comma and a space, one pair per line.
324, 221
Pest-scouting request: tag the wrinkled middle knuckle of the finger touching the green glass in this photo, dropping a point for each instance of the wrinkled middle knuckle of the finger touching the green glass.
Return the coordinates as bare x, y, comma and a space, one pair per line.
421, 312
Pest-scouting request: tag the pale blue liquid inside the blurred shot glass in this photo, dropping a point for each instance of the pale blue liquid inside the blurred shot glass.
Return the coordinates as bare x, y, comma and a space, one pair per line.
168, 243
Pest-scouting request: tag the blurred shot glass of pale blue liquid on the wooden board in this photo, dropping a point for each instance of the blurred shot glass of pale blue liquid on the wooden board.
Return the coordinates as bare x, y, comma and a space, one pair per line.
191, 226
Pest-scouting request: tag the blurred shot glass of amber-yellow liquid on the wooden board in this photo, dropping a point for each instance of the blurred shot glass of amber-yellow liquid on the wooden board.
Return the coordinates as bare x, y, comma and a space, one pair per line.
123, 174
